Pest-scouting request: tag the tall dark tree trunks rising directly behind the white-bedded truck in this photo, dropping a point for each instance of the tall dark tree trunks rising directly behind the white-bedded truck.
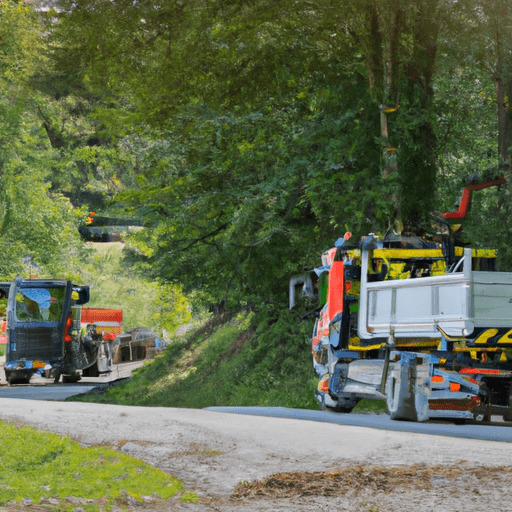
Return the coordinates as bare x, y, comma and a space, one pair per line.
405, 89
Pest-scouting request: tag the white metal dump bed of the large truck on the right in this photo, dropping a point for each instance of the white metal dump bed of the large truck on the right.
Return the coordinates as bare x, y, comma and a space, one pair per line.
455, 302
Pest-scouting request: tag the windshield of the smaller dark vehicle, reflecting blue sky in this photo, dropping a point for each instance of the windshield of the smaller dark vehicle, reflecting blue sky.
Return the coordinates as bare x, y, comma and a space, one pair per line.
39, 304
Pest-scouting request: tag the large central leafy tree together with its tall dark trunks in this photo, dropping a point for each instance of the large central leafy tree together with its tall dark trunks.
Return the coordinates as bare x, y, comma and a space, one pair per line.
258, 132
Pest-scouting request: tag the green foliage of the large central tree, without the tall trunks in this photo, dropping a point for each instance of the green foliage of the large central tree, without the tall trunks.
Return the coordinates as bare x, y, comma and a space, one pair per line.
268, 141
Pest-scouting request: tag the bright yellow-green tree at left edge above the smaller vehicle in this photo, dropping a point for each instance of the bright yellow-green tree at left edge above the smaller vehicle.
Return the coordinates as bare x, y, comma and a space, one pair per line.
34, 224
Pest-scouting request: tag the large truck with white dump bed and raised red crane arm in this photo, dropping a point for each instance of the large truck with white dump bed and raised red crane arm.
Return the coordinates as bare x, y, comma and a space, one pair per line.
425, 326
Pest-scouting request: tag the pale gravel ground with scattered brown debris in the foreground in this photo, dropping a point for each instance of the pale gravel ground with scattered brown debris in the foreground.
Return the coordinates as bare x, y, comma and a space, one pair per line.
260, 464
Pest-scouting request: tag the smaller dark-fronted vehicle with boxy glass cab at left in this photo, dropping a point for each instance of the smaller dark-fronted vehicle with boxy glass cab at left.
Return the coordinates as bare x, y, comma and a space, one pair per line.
44, 332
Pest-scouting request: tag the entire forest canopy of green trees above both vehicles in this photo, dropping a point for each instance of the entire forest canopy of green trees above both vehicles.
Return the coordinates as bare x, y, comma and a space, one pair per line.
249, 135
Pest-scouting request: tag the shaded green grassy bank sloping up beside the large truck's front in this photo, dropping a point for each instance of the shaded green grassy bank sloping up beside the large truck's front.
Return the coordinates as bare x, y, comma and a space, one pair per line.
260, 359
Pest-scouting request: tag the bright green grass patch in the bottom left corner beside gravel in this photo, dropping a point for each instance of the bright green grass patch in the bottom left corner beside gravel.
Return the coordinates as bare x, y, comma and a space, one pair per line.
39, 465
